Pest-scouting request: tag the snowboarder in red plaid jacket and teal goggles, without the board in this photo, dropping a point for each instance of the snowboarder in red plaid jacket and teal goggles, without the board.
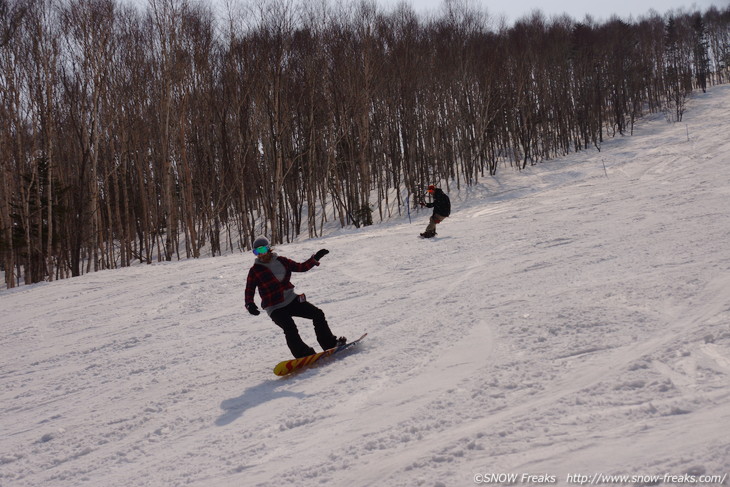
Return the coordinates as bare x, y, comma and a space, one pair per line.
271, 274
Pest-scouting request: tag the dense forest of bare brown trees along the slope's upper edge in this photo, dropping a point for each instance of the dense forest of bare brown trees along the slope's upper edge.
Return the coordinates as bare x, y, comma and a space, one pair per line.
141, 133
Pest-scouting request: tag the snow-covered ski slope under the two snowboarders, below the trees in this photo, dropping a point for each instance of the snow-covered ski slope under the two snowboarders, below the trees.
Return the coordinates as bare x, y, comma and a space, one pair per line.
569, 320
